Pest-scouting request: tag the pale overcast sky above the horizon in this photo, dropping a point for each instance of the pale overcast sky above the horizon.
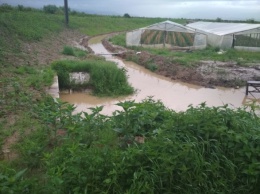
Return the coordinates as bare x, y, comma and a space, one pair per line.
203, 9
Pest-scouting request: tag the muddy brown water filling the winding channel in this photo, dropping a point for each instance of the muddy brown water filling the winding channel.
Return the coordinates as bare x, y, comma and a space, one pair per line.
174, 95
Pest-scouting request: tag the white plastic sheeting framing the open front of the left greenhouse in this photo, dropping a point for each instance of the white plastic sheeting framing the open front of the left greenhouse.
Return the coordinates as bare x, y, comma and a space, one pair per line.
133, 38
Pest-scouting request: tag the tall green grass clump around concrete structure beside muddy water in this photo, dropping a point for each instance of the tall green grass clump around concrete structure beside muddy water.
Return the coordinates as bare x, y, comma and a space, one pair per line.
106, 78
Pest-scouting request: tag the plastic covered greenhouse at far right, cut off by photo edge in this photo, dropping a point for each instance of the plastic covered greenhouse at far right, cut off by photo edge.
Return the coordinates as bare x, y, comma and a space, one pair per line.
241, 36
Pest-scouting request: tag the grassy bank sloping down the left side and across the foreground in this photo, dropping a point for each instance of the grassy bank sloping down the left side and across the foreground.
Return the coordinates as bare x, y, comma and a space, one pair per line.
145, 148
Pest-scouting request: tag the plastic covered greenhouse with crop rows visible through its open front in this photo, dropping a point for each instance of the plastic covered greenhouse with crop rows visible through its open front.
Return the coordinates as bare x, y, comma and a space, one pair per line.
166, 34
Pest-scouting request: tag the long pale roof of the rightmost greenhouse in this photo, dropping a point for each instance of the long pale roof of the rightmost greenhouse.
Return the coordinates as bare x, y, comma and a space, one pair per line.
224, 28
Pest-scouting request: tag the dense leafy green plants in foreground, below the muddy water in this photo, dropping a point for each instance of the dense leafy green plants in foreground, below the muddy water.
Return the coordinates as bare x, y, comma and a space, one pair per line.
145, 147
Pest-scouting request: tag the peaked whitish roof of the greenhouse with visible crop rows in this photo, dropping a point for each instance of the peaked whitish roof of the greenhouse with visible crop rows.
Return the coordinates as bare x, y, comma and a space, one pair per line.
170, 26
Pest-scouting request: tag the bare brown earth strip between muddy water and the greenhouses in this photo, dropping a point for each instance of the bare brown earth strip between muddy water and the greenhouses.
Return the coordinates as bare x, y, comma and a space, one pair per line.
206, 73
